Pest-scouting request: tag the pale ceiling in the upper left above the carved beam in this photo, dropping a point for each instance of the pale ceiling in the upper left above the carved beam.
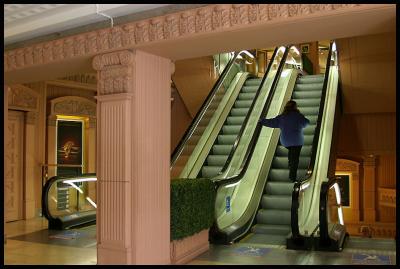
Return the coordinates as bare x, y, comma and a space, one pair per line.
26, 21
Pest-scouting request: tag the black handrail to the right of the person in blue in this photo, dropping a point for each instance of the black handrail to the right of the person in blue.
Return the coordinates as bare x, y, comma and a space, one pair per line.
298, 186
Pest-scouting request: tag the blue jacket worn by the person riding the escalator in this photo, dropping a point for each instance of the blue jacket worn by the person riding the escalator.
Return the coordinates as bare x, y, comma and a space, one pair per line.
291, 125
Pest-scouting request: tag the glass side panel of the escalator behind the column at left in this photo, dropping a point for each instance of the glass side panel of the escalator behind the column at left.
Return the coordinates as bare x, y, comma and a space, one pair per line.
71, 195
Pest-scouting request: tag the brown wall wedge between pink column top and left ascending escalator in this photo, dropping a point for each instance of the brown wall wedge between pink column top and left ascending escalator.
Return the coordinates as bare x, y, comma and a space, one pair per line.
194, 79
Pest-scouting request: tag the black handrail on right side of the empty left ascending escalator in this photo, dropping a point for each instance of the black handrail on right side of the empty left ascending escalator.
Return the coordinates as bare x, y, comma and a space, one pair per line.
239, 136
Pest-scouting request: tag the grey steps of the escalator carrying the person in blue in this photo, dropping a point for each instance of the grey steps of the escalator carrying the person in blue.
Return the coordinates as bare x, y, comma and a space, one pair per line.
272, 222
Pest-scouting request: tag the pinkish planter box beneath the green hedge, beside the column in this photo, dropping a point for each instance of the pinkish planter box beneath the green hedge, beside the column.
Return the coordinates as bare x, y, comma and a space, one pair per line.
185, 250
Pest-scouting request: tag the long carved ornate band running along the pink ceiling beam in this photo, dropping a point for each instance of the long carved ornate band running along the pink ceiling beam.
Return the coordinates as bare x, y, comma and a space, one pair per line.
208, 19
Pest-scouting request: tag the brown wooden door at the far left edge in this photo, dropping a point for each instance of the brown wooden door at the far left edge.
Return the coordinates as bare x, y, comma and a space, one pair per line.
14, 163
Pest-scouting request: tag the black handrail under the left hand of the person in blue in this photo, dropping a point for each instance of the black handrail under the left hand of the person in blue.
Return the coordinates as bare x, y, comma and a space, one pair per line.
257, 131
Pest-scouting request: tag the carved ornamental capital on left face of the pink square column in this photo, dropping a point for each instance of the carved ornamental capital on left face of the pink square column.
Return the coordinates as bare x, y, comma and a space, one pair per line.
115, 72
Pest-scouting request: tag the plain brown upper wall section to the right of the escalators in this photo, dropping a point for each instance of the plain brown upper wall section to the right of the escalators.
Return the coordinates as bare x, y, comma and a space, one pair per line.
368, 73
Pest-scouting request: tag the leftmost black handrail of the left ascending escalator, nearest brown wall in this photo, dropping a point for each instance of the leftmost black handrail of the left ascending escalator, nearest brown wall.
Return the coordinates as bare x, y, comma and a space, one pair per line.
189, 131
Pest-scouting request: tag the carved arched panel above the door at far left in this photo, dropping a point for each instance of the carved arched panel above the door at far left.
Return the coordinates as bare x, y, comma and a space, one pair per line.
22, 98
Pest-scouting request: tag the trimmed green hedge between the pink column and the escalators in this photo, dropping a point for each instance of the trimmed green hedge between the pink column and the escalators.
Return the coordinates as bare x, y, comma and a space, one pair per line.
192, 206
